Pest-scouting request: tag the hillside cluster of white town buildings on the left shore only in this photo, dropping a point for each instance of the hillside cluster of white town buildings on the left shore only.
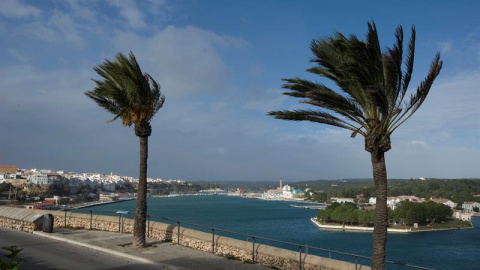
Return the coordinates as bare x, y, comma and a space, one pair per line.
31, 187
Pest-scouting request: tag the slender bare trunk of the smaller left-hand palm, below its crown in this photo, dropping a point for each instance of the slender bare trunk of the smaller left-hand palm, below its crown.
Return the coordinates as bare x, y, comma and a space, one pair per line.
141, 209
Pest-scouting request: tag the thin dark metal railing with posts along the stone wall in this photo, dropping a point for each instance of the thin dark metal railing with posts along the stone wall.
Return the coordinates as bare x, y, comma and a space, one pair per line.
301, 248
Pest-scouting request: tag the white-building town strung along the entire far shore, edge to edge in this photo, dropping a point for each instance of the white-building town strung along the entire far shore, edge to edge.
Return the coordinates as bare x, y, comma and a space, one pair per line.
47, 189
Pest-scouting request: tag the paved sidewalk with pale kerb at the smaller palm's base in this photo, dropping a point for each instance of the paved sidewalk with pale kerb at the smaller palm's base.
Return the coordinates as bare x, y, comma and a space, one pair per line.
164, 254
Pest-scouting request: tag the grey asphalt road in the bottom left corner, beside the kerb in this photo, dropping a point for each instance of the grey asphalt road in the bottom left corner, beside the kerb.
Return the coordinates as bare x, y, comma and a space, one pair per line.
40, 253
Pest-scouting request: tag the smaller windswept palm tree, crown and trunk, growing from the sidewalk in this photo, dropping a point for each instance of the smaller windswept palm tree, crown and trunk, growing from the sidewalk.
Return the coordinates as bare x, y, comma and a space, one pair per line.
135, 98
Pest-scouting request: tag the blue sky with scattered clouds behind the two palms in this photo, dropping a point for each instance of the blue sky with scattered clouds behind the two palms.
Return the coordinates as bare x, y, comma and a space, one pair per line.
220, 65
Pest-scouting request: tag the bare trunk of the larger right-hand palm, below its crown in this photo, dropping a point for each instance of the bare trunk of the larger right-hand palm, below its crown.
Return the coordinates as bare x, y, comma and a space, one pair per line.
380, 221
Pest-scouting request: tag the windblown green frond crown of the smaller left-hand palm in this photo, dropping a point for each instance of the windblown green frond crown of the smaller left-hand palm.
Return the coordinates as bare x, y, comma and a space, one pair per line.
126, 92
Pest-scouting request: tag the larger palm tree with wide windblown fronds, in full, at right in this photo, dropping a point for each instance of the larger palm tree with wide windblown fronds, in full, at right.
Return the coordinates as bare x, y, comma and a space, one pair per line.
372, 102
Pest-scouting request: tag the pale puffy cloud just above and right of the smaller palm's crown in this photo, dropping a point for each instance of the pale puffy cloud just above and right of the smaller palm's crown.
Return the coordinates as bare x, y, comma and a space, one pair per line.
184, 61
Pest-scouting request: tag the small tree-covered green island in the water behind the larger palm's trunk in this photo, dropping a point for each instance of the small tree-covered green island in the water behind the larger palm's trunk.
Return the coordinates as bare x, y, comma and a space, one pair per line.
407, 217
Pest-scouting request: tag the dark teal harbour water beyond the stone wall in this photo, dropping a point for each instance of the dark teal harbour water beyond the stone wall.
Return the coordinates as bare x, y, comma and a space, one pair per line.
457, 249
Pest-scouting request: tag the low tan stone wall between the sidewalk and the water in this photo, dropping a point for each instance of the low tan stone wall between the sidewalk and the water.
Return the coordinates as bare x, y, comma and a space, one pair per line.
265, 255
